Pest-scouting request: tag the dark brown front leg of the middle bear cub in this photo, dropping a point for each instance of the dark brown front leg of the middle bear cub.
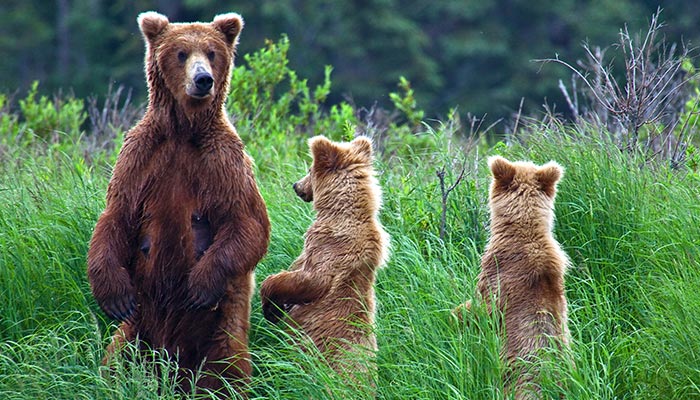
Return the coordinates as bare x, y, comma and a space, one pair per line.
288, 288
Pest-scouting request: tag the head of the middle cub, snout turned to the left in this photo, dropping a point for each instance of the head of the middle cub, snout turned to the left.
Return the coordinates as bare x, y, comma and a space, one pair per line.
340, 173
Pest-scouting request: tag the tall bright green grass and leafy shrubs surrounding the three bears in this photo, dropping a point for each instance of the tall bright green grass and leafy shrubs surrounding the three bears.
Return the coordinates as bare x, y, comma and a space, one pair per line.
631, 228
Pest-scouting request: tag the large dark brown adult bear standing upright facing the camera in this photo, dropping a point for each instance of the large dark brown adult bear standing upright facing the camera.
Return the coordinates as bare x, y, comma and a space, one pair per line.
172, 256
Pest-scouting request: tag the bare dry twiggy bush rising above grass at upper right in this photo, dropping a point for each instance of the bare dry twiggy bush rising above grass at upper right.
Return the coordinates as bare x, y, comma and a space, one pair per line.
641, 111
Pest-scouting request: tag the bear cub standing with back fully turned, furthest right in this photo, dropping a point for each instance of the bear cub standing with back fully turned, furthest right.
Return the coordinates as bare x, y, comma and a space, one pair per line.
523, 266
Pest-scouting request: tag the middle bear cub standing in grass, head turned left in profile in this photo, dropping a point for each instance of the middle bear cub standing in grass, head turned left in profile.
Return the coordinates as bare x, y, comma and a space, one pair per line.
328, 292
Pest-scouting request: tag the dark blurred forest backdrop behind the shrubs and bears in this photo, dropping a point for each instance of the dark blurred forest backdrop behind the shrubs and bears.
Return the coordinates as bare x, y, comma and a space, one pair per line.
476, 55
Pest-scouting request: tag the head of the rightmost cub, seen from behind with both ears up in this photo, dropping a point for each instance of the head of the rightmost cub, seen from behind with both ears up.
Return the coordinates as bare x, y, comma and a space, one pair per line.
522, 192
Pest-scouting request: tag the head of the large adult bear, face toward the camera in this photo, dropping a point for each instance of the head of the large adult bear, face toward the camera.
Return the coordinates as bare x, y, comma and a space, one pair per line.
189, 63
